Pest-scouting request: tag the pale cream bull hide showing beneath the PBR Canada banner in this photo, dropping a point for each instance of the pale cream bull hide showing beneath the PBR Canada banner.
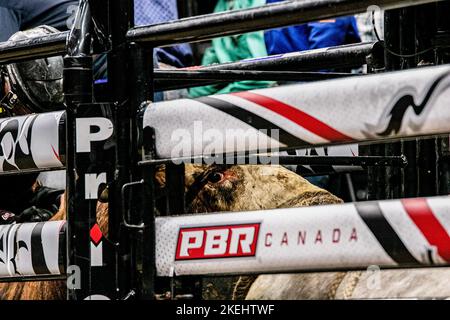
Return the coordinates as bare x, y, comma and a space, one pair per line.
392, 284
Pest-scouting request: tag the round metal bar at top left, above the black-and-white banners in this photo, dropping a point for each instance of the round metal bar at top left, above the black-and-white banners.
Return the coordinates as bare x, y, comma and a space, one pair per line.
33, 48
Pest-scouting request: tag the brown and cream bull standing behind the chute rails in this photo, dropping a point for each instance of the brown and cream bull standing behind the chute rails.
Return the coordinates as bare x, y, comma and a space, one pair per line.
244, 188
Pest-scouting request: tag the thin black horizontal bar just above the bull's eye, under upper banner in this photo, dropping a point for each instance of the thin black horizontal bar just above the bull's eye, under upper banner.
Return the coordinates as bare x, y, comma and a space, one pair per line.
363, 161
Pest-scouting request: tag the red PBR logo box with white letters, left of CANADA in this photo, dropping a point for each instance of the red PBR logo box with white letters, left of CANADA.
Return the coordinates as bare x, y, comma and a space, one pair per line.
215, 242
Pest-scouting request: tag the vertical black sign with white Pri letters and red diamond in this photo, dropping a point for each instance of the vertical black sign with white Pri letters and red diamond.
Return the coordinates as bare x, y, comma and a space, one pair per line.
94, 149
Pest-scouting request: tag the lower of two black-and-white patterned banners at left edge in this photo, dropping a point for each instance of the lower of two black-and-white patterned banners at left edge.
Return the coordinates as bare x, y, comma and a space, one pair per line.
32, 249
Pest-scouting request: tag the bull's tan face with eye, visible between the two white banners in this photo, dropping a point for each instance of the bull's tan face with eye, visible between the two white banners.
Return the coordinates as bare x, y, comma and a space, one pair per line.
248, 187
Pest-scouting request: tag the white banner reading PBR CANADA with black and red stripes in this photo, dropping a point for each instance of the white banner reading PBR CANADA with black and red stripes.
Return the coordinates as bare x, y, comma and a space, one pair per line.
397, 233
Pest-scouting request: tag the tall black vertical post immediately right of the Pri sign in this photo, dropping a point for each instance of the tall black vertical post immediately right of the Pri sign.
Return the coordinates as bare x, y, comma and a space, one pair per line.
120, 20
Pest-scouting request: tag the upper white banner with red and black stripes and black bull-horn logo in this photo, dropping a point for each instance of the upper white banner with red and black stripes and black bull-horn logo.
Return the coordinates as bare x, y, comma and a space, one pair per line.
374, 107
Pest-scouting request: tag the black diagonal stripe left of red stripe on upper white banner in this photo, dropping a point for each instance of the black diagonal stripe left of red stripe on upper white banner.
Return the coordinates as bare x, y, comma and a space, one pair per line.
252, 120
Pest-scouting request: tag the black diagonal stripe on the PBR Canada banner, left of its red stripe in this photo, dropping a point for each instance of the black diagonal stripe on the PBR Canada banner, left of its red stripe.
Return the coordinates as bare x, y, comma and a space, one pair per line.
372, 215
